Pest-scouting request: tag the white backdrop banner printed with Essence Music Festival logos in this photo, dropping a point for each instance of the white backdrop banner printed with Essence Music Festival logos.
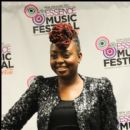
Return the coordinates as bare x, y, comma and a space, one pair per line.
104, 32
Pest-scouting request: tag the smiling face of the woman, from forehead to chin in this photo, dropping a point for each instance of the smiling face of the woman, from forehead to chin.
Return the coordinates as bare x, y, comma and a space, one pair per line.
65, 62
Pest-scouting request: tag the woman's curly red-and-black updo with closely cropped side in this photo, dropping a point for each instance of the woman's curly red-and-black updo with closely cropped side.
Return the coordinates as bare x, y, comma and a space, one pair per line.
62, 34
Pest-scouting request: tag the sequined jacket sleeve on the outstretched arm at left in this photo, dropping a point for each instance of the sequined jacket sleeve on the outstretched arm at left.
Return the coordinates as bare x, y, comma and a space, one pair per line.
22, 110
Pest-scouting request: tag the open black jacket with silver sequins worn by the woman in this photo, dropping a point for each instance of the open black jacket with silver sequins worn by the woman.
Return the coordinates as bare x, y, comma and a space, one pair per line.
95, 107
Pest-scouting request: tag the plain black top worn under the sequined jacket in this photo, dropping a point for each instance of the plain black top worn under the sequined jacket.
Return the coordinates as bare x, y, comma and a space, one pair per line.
63, 117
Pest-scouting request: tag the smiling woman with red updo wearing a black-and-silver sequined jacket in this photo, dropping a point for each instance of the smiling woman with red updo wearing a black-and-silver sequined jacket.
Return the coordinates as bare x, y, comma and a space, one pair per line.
68, 101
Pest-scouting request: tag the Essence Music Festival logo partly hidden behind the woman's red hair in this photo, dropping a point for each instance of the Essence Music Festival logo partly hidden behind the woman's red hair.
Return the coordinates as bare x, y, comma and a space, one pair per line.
44, 18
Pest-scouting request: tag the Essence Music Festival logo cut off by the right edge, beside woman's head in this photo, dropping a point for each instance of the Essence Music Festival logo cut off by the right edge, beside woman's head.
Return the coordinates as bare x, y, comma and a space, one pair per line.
117, 54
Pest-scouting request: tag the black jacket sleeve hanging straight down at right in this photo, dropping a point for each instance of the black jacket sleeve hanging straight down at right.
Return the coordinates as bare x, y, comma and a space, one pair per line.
108, 110
